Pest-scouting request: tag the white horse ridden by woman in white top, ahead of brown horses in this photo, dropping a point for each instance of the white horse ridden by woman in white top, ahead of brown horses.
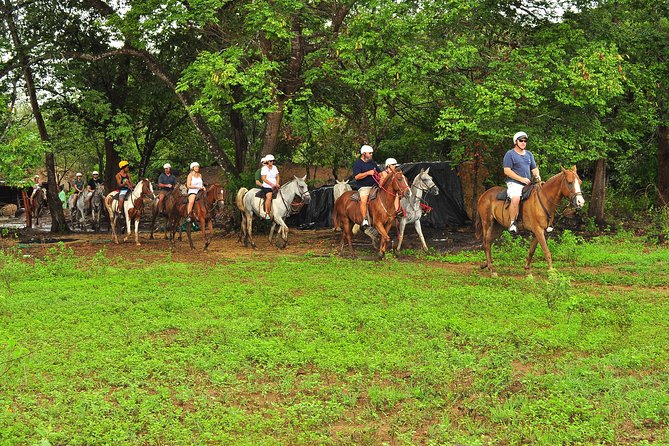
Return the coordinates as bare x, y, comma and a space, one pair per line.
249, 204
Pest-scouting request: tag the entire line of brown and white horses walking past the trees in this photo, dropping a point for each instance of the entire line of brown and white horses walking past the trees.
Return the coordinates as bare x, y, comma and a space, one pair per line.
492, 218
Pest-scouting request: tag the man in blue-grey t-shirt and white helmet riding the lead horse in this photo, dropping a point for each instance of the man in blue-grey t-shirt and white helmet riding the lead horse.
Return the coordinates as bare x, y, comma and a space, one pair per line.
519, 165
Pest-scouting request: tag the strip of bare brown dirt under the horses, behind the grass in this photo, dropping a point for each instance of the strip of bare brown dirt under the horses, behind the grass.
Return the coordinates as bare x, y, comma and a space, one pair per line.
225, 244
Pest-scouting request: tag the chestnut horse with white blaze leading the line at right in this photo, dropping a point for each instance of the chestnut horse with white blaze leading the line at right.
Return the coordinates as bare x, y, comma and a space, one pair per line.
536, 213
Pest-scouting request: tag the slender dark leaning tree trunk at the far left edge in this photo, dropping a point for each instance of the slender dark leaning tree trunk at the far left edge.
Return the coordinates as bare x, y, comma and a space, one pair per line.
58, 223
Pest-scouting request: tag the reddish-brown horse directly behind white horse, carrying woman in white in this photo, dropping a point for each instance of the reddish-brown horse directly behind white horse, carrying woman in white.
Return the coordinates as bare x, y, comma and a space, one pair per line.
203, 211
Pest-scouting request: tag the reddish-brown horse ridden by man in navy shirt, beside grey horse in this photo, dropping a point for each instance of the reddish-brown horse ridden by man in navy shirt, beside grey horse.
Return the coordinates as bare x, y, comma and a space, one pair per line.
381, 210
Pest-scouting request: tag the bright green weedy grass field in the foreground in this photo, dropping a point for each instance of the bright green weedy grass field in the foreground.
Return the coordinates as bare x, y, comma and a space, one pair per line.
324, 350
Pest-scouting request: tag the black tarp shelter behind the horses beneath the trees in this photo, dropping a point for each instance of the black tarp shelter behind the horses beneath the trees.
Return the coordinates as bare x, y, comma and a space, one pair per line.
447, 208
